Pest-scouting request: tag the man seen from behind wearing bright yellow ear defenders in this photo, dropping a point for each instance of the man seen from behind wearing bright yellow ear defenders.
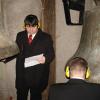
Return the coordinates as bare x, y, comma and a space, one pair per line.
76, 88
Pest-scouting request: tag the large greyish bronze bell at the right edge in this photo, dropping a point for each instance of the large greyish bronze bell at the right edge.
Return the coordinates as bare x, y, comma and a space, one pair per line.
89, 47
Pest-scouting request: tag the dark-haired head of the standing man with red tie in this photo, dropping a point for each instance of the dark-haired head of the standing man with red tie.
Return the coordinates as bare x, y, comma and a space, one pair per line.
31, 24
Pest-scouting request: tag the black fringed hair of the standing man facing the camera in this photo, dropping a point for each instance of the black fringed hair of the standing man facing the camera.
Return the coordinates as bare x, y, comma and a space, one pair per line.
31, 20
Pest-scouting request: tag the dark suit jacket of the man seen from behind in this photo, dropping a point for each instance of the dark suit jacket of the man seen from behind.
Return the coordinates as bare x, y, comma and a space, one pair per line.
75, 89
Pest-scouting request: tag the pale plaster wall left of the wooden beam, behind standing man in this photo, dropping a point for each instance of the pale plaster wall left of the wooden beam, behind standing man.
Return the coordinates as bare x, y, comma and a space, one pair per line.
14, 12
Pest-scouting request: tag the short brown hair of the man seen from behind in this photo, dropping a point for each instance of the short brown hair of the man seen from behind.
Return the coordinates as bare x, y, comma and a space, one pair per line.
77, 62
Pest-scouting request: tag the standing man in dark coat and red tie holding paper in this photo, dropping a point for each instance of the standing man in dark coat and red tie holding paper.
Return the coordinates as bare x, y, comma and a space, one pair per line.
32, 75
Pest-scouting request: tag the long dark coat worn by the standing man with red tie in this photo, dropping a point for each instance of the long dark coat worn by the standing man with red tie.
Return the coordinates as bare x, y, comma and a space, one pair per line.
34, 76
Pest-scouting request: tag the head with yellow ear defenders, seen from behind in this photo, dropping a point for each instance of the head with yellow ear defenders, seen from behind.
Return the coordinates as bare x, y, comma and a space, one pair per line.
77, 68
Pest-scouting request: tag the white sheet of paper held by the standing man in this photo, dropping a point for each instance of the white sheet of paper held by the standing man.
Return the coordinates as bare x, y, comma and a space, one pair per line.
32, 61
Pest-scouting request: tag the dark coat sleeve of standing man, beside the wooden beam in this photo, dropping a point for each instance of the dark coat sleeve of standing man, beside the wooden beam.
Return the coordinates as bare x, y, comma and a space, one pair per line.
49, 50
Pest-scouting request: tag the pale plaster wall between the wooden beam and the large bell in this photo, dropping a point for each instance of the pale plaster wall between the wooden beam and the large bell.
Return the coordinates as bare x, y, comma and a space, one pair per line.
67, 39
